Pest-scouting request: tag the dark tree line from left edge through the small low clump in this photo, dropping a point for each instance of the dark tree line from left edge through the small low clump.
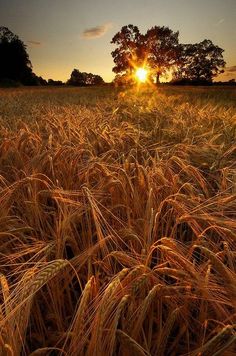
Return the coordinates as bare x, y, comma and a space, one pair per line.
16, 68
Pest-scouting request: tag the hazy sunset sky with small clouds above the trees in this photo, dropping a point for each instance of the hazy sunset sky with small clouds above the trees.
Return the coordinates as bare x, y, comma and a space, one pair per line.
65, 34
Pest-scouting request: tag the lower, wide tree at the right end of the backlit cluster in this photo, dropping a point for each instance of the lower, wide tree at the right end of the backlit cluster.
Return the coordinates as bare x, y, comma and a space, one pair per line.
200, 62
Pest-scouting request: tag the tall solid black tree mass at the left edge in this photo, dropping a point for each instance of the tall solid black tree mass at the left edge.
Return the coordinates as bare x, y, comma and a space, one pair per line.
14, 60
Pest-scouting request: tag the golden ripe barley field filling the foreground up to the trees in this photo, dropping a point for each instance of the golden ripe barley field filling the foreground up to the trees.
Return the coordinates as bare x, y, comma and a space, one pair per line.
117, 221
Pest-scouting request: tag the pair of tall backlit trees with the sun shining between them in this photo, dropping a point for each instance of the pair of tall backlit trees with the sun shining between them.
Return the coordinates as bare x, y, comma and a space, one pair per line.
158, 49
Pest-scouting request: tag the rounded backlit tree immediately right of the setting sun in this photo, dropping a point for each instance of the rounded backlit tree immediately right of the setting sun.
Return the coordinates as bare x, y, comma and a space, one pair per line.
162, 48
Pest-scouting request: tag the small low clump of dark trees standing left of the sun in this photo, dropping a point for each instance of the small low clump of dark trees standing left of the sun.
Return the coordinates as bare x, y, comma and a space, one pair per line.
78, 78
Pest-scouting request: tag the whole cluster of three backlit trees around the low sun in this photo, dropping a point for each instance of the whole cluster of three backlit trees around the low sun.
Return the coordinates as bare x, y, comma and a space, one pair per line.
159, 51
